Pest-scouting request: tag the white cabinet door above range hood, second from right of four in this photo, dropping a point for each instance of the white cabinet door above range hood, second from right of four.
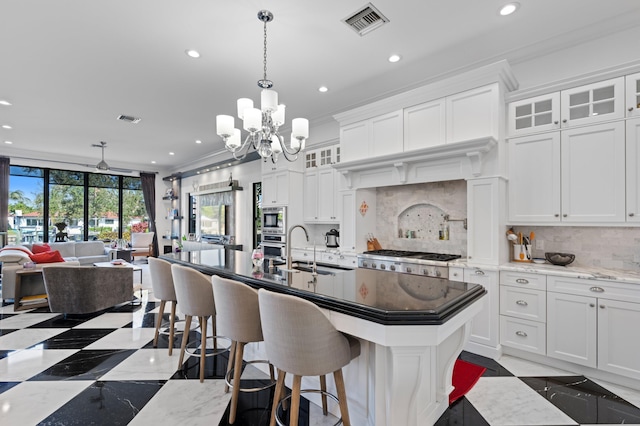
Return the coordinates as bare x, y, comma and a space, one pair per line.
424, 125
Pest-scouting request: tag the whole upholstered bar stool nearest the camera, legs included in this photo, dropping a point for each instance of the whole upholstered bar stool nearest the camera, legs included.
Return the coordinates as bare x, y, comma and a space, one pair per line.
300, 340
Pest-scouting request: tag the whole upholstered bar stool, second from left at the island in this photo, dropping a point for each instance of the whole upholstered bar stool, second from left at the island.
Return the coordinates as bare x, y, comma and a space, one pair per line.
194, 293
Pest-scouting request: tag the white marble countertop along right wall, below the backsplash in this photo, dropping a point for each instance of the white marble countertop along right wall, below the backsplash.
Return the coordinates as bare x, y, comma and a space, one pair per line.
584, 272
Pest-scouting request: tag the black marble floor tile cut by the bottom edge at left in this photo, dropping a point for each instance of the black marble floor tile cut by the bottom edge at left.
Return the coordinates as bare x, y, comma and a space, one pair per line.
106, 403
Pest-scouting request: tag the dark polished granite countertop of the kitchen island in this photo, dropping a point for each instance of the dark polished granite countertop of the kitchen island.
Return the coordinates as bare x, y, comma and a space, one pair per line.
387, 298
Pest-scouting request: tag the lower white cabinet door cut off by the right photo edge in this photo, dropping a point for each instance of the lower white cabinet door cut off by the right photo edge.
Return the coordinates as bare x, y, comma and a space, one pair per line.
619, 337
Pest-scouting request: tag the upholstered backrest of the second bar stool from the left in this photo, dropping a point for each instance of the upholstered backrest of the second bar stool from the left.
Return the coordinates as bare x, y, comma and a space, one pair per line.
194, 291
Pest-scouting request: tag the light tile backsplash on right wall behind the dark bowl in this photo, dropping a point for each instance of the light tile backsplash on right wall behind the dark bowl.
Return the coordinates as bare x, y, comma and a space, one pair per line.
605, 247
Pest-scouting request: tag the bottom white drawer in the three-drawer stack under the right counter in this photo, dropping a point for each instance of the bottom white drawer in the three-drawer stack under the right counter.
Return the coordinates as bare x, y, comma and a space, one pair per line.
521, 334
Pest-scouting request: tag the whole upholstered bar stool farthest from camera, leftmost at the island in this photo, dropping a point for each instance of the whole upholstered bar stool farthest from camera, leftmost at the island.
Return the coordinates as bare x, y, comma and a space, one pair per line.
162, 284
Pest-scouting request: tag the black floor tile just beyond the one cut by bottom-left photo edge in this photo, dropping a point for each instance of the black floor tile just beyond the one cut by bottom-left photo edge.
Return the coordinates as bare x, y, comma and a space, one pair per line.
84, 365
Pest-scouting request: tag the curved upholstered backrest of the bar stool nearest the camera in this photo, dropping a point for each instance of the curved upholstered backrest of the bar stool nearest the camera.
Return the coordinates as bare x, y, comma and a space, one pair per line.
299, 338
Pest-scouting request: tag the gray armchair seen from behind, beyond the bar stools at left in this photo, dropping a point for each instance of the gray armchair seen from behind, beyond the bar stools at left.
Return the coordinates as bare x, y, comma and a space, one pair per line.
86, 289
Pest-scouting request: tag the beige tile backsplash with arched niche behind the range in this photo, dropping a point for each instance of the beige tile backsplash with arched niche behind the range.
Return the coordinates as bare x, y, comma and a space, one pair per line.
421, 208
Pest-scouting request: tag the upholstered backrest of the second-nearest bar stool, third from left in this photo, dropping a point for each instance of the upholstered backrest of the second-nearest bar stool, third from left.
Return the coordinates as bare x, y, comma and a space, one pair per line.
237, 309
